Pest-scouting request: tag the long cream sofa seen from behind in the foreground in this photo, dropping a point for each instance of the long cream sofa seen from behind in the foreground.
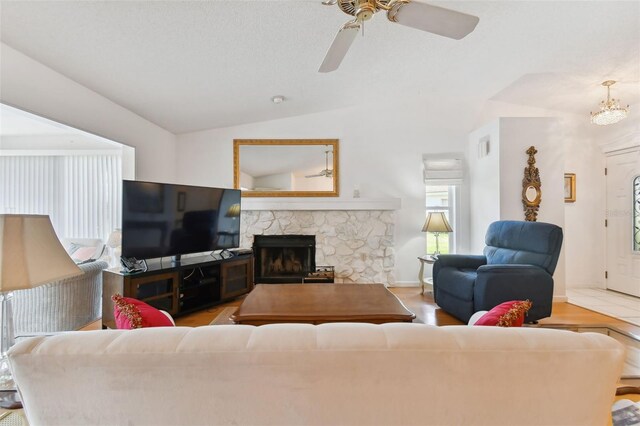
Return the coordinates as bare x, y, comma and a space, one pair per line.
331, 374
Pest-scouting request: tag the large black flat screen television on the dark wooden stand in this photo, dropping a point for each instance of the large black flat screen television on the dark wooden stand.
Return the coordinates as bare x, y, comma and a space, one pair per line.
160, 219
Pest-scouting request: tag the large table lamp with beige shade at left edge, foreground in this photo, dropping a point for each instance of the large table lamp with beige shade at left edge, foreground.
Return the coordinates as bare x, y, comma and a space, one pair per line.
30, 255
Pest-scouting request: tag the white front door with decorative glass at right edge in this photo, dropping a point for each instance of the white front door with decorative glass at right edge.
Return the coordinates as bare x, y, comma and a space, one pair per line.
623, 256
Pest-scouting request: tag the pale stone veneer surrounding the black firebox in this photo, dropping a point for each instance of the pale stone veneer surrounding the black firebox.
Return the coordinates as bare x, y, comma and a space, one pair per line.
359, 244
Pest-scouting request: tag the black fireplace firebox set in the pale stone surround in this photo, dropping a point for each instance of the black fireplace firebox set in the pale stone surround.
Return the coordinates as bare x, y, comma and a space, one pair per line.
283, 258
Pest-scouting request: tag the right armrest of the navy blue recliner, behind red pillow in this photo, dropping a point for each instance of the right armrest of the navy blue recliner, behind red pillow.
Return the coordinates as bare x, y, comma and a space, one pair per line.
496, 284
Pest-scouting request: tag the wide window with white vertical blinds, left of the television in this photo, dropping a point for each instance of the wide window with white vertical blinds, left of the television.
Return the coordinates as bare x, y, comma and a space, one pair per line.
81, 193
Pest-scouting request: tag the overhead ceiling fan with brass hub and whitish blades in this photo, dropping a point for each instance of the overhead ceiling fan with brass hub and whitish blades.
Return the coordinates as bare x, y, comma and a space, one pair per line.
422, 16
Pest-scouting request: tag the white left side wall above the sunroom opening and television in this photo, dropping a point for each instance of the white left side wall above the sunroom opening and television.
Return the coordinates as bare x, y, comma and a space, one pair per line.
28, 85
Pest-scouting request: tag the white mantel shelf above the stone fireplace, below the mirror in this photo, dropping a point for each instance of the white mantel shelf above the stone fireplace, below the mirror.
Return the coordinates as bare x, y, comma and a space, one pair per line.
321, 203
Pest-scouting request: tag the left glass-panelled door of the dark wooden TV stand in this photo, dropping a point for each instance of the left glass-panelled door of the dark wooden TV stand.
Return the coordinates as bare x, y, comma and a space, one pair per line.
159, 291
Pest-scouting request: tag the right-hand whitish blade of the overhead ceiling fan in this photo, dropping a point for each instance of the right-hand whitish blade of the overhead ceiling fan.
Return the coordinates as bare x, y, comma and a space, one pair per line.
434, 19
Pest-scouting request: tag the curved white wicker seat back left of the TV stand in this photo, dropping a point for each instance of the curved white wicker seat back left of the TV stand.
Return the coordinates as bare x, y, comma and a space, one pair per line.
63, 305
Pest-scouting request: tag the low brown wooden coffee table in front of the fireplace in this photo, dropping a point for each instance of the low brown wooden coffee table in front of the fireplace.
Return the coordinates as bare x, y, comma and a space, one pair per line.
321, 303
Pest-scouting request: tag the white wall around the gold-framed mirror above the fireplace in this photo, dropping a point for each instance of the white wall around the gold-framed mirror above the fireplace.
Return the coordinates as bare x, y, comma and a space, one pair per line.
381, 151
